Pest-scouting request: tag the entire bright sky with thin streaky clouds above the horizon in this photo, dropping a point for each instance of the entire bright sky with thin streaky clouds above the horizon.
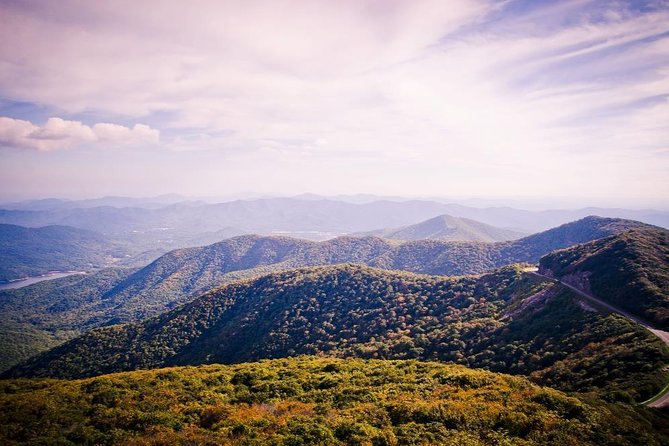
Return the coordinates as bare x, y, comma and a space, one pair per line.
517, 98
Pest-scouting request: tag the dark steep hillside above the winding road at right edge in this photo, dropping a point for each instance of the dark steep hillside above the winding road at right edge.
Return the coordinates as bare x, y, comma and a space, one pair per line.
629, 270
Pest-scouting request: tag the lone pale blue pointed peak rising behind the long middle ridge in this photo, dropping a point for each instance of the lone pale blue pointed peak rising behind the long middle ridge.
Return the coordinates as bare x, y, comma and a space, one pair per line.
446, 227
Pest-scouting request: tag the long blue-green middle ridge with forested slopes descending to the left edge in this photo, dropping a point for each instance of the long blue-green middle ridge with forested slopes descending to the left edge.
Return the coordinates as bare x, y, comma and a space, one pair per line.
63, 308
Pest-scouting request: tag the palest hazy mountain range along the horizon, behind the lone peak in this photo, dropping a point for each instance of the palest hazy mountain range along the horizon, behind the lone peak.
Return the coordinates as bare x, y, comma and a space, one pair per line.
120, 217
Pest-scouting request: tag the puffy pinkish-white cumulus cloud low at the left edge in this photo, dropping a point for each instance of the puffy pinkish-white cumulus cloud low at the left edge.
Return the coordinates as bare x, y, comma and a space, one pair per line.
59, 133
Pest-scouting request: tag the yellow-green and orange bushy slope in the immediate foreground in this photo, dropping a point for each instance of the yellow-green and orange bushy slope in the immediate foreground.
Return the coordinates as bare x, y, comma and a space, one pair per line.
321, 401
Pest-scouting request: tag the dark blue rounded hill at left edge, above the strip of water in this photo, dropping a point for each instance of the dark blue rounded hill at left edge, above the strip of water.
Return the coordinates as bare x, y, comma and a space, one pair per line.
34, 251
